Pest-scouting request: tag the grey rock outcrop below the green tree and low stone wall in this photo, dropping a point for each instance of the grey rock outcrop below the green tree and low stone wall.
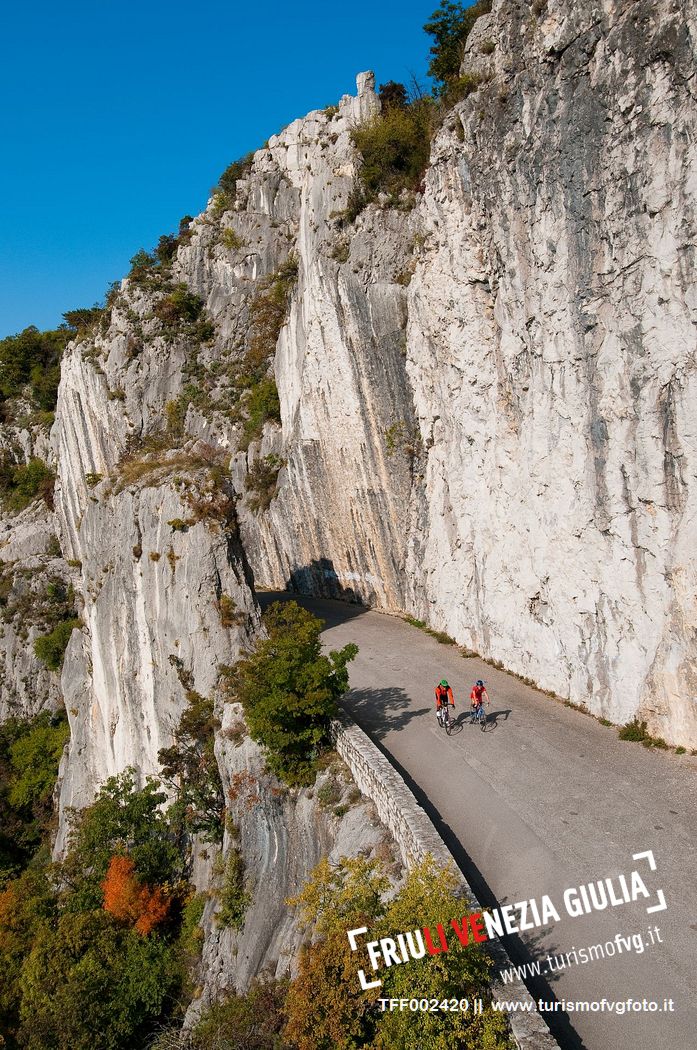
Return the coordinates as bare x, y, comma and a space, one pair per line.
283, 834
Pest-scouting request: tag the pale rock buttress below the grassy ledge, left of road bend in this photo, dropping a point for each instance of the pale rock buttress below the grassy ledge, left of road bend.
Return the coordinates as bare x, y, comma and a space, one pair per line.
151, 610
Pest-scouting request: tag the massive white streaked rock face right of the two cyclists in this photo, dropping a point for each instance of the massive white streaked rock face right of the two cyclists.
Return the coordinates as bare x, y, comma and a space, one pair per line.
560, 318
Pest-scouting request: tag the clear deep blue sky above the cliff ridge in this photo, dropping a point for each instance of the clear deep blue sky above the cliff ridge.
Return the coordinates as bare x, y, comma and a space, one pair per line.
118, 118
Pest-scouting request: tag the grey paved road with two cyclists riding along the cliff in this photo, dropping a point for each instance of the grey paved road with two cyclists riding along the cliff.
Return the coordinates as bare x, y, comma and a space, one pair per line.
547, 800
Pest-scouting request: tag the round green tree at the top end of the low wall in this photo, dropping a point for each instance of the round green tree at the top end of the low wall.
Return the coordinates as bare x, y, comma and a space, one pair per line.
290, 689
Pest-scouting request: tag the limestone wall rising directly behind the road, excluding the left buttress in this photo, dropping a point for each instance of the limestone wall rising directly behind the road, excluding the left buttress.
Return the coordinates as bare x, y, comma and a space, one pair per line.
485, 401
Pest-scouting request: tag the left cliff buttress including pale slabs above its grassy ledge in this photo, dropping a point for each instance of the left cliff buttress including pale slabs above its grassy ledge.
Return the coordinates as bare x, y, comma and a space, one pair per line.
152, 576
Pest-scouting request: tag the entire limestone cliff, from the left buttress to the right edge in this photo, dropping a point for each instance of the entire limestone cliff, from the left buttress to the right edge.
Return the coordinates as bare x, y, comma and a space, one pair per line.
484, 405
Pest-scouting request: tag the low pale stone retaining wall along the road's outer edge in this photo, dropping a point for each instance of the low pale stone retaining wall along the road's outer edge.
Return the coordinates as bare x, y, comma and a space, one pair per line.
416, 836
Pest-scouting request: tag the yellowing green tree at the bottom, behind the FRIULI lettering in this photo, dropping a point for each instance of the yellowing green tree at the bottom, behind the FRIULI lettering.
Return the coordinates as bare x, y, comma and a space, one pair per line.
326, 1005
